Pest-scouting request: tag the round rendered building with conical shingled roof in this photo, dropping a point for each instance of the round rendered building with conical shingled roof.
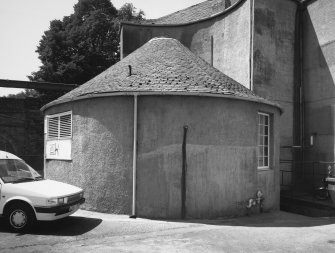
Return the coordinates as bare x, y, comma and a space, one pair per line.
162, 134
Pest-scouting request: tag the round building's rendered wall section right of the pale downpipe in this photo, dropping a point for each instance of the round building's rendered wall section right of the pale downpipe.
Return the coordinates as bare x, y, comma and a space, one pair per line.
221, 152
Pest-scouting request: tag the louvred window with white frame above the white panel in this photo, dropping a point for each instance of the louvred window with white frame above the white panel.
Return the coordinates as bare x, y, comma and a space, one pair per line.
59, 126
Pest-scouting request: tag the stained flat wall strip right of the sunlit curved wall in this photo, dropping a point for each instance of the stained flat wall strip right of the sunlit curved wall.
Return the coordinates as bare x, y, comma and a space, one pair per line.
273, 63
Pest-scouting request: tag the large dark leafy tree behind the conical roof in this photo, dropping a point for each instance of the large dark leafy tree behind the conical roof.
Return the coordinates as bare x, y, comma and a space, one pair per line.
83, 44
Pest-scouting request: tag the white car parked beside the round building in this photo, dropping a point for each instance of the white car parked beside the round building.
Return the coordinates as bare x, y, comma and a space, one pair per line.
25, 196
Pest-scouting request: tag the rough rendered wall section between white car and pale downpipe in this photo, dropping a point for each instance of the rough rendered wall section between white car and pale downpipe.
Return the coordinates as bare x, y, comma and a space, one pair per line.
102, 148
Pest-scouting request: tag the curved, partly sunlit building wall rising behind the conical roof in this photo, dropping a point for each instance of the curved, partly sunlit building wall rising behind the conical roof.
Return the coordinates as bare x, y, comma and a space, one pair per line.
231, 40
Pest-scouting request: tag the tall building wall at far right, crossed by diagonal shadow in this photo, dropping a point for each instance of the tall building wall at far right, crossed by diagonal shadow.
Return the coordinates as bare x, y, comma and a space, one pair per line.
319, 79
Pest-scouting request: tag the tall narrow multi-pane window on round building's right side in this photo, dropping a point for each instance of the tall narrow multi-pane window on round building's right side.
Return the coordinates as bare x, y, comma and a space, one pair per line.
263, 140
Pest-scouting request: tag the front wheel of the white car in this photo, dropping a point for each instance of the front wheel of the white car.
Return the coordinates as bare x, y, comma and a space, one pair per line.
20, 217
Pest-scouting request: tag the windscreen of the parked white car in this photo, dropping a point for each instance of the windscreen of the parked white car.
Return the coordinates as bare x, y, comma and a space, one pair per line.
16, 171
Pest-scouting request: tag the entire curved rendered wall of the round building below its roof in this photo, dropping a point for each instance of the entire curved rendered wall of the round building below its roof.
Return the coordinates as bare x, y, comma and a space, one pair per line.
221, 148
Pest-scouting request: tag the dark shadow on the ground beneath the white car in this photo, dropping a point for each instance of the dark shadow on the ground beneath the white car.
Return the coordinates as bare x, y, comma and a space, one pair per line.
70, 226
